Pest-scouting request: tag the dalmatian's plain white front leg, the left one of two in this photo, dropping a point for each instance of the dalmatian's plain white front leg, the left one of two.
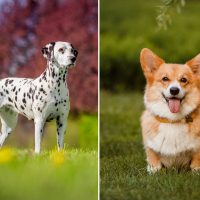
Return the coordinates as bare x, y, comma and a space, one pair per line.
39, 125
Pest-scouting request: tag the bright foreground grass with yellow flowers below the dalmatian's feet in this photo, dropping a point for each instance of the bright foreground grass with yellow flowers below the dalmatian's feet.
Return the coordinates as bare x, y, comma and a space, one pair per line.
28, 176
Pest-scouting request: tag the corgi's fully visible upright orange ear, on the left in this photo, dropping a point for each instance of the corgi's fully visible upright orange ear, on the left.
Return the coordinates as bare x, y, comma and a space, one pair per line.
150, 62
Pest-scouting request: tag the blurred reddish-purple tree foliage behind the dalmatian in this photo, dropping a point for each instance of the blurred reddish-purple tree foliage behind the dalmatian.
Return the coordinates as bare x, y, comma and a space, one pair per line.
26, 26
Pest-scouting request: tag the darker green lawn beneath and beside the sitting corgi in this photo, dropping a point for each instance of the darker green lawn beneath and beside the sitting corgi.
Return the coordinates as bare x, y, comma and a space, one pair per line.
123, 166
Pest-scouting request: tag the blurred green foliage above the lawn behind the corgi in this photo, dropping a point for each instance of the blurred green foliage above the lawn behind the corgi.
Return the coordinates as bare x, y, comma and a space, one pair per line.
128, 26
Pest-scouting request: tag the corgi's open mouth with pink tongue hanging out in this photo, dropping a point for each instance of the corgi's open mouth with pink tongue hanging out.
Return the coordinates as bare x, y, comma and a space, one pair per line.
174, 103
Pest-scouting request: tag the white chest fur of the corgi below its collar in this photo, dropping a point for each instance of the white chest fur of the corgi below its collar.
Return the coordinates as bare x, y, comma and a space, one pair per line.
173, 139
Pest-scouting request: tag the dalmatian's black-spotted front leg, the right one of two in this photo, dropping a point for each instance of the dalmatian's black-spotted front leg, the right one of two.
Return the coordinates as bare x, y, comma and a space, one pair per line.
61, 122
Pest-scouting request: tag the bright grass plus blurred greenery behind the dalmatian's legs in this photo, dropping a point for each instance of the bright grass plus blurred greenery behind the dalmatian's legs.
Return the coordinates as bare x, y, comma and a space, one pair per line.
71, 175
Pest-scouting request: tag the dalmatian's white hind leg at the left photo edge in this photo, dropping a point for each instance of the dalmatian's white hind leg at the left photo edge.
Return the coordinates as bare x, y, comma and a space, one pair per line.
8, 123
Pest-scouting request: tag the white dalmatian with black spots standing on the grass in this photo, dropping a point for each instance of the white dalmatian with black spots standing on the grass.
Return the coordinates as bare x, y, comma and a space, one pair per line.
42, 99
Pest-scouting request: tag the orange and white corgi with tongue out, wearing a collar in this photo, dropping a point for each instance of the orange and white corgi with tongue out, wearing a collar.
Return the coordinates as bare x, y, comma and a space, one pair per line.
171, 121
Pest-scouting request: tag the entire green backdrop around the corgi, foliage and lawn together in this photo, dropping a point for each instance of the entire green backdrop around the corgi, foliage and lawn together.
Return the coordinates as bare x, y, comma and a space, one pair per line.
125, 28
